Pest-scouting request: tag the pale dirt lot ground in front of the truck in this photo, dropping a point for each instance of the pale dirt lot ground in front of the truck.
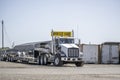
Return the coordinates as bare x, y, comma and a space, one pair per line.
18, 71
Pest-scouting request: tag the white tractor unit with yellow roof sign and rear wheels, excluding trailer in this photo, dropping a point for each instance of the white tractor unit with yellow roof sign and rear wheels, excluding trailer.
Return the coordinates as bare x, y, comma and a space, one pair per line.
60, 50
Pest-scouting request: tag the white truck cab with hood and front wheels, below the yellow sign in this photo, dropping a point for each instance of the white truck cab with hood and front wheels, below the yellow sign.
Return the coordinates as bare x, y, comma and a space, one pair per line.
66, 51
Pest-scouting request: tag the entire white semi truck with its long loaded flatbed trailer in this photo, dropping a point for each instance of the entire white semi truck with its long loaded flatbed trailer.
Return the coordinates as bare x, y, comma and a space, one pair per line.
61, 50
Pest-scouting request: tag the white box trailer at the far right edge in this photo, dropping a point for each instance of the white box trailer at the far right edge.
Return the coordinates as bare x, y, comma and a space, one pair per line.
110, 53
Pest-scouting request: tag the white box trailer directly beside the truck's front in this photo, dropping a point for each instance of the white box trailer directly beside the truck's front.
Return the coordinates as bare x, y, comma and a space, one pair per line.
91, 53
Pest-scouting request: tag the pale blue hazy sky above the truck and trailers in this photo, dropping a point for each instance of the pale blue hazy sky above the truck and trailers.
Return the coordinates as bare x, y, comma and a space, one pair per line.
93, 21
